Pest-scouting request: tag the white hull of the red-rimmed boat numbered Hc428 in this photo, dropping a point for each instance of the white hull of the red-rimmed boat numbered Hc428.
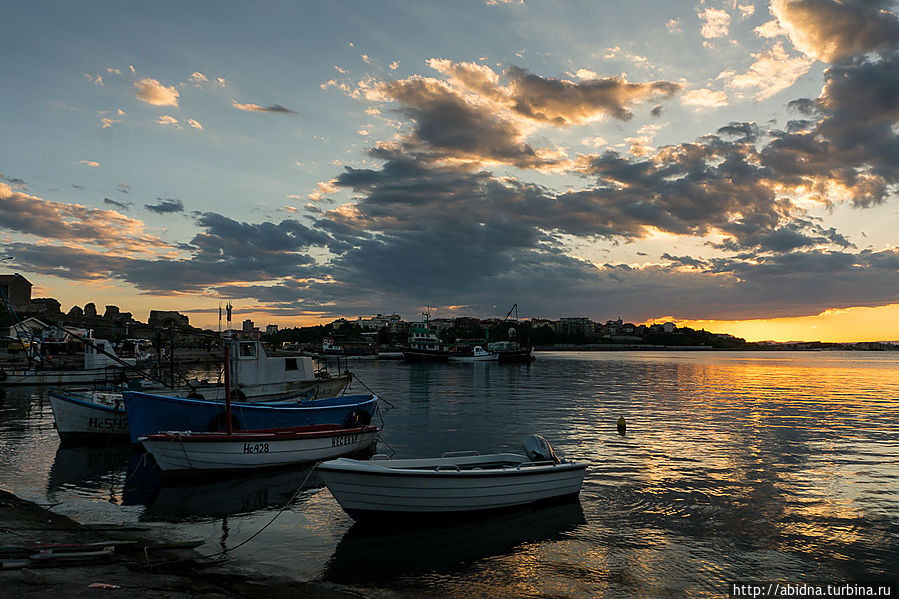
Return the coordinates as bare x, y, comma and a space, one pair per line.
216, 453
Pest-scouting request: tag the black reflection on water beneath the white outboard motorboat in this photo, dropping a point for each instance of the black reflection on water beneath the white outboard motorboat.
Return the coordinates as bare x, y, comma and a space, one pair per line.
381, 556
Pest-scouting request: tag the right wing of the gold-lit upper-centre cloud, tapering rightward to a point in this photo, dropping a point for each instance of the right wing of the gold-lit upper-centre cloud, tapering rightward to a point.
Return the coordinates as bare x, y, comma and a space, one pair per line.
564, 102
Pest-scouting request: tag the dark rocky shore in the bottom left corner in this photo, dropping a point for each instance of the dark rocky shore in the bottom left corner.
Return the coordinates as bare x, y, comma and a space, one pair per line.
141, 565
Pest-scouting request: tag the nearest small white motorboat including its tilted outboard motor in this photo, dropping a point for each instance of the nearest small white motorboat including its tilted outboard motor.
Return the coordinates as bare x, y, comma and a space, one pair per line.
459, 482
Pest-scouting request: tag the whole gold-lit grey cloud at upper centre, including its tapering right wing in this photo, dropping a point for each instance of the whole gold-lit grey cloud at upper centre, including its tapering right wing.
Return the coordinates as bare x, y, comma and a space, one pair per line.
450, 124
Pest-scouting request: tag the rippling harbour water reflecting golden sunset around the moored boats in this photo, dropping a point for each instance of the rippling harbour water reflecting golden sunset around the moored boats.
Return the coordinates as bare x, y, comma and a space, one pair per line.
735, 466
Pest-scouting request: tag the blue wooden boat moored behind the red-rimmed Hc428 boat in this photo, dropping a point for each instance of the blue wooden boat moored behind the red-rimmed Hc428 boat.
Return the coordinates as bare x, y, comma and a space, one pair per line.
149, 414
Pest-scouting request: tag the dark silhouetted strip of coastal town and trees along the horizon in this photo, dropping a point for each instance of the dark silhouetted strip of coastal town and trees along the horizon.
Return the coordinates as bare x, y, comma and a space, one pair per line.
367, 334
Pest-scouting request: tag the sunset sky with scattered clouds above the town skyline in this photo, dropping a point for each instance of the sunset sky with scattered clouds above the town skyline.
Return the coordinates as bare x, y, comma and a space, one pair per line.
731, 165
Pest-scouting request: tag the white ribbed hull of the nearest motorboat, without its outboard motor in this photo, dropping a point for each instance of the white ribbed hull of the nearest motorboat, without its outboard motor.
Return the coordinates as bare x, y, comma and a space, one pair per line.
374, 493
